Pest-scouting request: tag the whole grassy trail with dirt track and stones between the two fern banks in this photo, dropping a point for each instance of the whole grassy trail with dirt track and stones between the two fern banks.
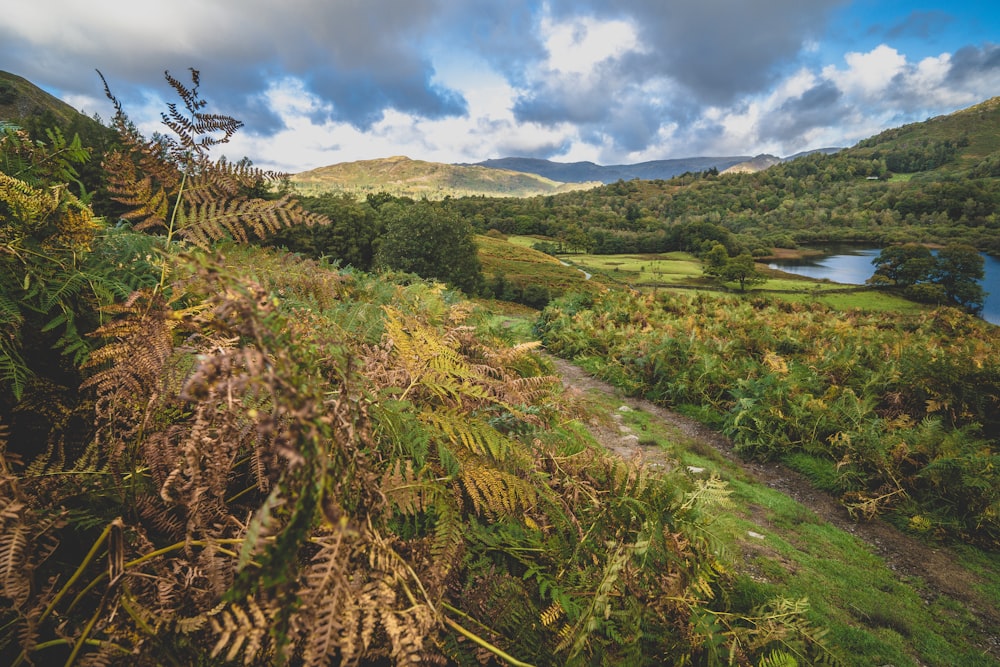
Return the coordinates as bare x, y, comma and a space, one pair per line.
884, 597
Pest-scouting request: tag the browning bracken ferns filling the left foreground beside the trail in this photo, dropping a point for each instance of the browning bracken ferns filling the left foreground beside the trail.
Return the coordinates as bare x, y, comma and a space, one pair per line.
261, 458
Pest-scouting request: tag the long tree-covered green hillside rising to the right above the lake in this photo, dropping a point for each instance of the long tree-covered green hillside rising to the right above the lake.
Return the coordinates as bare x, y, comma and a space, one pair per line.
931, 182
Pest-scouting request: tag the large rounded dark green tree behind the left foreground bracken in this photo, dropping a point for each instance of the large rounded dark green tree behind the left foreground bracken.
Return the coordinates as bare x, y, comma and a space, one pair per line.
430, 241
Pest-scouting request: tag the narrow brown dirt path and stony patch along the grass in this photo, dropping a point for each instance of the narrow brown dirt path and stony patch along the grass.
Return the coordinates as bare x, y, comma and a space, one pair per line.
906, 556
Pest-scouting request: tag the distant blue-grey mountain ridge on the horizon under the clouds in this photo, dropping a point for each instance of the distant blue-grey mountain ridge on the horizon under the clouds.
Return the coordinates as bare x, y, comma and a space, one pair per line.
579, 172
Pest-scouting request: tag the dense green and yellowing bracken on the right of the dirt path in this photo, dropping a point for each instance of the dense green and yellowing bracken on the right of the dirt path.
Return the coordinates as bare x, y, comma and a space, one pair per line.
905, 407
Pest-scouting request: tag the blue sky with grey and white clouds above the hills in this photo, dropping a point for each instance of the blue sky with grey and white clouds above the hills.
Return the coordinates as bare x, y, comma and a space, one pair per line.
318, 82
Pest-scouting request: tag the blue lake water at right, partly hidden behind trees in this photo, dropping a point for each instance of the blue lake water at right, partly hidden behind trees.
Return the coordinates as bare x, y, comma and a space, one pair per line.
852, 265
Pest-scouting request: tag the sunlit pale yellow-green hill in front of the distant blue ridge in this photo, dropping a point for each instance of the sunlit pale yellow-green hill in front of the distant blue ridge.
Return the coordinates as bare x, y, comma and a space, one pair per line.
402, 176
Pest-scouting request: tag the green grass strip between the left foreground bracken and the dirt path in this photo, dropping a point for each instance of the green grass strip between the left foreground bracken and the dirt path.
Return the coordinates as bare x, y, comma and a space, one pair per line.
872, 615
